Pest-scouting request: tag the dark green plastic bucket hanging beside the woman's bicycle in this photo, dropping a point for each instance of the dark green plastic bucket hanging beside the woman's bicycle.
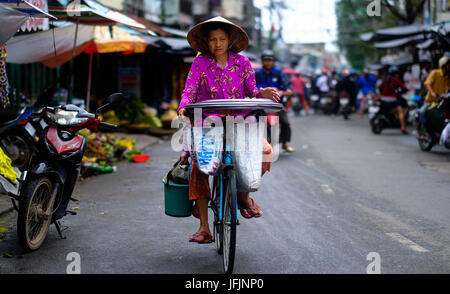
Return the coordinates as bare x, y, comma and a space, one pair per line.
176, 200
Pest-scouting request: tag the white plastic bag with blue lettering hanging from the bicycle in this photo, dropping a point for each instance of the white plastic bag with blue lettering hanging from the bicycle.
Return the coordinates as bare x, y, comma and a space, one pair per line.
207, 148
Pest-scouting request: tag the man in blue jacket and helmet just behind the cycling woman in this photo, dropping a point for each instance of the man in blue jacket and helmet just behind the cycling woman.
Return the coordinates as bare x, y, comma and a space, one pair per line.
269, 76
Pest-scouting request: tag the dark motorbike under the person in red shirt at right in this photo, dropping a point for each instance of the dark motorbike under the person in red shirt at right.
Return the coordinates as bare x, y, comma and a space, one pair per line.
383, 115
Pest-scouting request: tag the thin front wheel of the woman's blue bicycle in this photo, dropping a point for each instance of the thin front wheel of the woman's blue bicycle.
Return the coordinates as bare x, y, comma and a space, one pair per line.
229, 221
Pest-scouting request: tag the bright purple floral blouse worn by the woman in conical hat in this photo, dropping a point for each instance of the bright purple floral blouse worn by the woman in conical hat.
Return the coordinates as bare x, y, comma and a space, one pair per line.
207, 80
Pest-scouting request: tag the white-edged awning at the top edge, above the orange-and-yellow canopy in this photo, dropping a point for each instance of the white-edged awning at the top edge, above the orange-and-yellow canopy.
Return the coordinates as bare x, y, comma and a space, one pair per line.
91, 13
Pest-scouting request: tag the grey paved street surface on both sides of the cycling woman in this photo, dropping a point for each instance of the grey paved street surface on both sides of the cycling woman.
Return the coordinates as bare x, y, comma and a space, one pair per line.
344, 194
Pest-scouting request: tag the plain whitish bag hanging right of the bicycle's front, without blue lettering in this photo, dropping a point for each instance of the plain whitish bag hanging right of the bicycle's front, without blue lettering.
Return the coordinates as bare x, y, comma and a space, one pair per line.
248, 156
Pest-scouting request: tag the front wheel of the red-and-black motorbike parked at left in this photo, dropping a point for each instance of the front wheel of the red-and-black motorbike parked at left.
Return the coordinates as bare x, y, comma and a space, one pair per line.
35, 213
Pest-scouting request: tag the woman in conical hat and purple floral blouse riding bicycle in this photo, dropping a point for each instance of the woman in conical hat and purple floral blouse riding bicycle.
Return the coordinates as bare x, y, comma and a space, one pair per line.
219, 72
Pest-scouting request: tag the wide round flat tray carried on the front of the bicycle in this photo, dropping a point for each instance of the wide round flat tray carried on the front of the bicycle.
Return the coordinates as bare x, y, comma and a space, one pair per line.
266, 105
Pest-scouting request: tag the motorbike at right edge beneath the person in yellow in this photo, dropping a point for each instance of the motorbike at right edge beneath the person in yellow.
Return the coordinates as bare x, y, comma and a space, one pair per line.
436, 129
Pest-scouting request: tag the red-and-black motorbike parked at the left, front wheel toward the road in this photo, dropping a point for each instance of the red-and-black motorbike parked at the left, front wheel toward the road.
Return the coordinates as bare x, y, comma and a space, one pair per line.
46, 153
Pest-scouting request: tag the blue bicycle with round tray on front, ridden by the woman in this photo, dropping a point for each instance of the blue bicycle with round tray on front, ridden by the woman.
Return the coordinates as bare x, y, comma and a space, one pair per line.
223, 203
